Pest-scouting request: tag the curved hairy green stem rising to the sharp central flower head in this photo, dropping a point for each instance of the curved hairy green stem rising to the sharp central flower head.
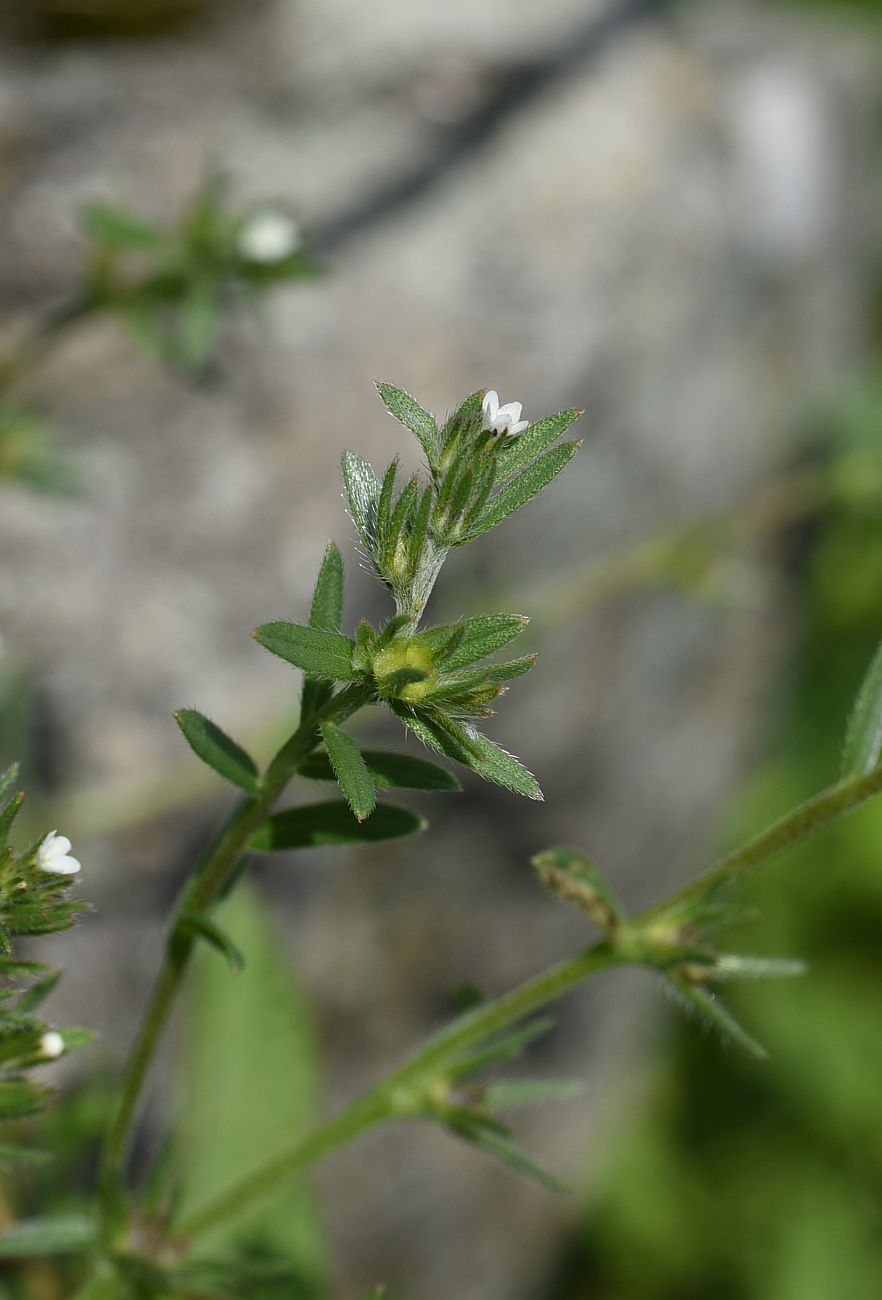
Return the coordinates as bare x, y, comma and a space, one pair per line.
204, 889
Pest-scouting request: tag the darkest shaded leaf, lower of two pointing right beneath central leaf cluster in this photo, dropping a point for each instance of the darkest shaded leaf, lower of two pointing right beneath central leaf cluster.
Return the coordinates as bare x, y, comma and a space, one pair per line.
332, 824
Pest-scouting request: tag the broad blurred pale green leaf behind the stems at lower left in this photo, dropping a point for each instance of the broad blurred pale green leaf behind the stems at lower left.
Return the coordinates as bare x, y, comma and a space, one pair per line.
249, 1084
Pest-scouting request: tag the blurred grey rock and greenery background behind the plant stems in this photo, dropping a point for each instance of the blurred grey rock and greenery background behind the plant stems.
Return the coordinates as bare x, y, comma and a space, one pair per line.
667, 214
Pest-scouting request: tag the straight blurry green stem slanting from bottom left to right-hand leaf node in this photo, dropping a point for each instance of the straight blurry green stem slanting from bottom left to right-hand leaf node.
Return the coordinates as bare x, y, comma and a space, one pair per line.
394, 1097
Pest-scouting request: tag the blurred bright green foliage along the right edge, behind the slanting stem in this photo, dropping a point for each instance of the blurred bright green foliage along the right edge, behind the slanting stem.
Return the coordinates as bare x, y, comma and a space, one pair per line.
747, 1182
